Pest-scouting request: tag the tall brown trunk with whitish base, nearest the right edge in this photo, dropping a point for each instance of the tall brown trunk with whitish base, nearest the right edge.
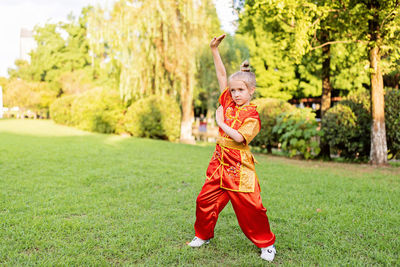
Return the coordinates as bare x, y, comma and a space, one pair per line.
378, 155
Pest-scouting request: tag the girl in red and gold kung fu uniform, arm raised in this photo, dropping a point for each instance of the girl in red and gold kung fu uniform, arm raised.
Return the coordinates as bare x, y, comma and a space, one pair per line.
231, 173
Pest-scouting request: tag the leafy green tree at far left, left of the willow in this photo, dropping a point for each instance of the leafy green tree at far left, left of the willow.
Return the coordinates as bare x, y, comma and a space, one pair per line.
61, 48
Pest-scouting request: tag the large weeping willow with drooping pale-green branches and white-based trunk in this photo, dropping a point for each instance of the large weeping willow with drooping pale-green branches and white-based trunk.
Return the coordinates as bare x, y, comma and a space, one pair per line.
153, 46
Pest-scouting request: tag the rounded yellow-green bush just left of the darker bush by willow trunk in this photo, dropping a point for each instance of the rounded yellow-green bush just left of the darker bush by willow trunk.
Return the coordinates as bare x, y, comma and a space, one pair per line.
97, 110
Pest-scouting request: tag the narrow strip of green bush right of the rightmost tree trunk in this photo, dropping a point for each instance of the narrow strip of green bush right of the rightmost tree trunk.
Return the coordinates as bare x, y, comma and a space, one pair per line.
392, 121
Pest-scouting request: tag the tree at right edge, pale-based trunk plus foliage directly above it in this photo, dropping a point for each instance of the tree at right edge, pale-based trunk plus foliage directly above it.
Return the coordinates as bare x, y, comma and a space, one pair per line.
383, 36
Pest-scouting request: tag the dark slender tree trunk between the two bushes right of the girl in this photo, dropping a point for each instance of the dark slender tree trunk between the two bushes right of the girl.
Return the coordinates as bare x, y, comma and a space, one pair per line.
326, 90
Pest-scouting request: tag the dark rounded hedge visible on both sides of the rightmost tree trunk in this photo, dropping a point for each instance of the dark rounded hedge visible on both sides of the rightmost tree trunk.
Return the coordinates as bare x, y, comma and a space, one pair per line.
347, 126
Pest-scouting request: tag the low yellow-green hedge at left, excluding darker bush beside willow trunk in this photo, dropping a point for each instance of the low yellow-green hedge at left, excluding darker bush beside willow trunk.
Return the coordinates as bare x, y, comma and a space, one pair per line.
97, 110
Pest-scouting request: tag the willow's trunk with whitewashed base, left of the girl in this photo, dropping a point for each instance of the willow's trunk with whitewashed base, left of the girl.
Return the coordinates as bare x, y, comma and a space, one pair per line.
187, 118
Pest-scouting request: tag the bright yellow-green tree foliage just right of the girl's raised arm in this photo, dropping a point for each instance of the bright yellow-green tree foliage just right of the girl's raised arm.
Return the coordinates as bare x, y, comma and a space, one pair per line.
268, 46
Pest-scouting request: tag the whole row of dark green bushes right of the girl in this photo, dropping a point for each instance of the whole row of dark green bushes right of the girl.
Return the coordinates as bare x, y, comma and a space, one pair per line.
346, 127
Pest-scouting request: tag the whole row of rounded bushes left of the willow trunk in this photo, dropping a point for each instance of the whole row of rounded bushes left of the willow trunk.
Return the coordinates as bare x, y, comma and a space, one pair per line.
100, 110
